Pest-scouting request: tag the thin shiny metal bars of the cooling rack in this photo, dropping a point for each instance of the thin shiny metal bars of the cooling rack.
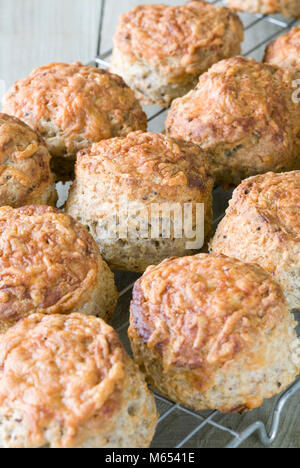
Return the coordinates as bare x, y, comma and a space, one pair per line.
201, 420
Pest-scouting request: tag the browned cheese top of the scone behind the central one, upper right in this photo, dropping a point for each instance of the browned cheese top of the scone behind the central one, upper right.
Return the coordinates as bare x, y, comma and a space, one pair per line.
235, 99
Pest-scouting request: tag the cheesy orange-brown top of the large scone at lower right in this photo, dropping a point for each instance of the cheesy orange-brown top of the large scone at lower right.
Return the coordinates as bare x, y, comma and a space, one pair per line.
202, 312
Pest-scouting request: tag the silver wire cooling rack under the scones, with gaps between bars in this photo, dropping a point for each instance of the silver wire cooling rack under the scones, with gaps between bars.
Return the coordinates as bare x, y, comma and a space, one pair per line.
178, 426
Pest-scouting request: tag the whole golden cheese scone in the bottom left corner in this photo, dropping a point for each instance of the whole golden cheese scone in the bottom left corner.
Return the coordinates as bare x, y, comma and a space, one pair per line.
67, 382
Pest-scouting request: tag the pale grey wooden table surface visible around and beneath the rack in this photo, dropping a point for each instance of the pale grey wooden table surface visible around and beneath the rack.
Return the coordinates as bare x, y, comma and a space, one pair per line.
35, 32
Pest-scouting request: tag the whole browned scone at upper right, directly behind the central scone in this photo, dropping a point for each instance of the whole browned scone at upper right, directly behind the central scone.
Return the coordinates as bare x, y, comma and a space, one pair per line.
242, 112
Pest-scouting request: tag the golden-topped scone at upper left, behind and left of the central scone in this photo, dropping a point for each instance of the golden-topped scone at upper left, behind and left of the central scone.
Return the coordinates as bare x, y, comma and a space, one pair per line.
73, 106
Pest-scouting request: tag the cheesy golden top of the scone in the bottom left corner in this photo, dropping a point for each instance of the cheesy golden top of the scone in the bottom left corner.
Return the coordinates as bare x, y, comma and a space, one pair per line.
60, 373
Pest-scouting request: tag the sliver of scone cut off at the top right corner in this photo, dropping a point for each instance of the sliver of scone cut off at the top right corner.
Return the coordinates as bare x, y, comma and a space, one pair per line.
288, 8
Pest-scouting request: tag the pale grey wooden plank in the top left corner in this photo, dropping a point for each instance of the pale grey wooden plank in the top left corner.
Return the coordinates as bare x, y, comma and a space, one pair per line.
34, 33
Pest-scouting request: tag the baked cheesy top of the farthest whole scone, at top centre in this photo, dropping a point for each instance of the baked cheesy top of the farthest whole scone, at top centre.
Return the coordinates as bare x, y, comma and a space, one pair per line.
162, 35
